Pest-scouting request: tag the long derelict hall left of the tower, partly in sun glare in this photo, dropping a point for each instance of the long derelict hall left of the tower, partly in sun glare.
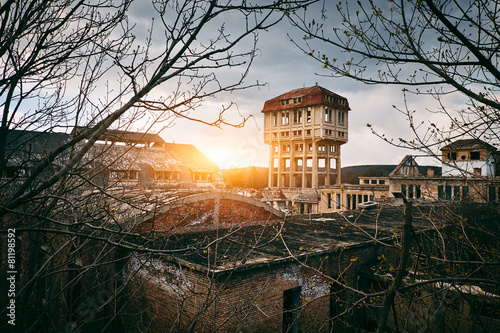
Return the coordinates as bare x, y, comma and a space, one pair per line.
120, 158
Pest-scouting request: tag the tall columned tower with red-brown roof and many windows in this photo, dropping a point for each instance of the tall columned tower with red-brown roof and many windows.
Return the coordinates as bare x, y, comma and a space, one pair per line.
305, 129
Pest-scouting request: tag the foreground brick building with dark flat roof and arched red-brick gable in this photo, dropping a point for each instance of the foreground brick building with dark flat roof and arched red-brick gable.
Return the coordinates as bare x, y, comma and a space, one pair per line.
241, 266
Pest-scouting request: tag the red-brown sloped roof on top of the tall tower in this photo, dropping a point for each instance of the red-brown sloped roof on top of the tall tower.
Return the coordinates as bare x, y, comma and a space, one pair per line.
310, 96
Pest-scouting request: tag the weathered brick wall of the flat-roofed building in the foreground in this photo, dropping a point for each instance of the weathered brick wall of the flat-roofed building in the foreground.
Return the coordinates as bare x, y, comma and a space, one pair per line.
246, 301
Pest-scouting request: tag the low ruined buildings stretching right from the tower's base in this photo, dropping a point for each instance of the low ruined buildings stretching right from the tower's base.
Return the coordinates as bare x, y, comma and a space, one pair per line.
424, 185
